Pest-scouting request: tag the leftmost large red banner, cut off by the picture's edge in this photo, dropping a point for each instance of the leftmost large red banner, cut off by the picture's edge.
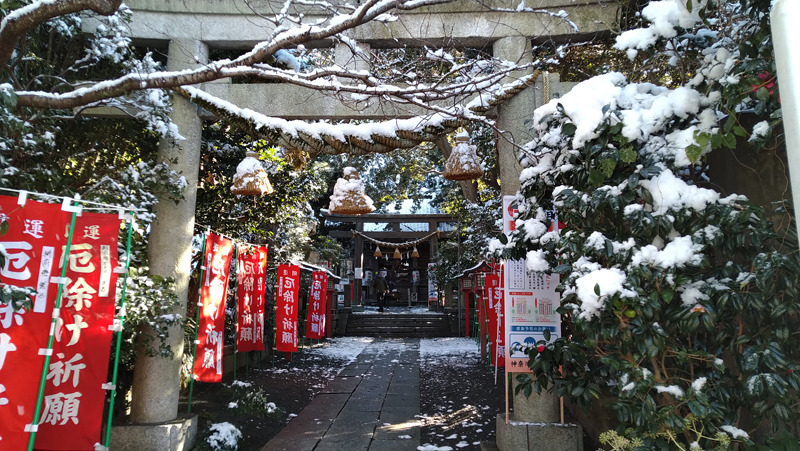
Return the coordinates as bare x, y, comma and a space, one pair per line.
35, 234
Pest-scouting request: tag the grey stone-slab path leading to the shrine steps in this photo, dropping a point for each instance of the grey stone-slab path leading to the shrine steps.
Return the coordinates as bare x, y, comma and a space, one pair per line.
371, 405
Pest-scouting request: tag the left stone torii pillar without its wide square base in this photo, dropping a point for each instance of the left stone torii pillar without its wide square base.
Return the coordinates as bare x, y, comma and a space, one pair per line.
156, 379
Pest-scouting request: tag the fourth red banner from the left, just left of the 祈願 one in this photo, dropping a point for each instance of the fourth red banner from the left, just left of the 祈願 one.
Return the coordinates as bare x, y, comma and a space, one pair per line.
250, 276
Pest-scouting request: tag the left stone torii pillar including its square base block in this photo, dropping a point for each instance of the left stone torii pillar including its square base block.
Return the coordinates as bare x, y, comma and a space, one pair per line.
156, 380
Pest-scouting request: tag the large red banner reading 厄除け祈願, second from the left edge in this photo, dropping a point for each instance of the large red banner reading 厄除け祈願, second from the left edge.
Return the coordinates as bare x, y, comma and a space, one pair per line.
72, 411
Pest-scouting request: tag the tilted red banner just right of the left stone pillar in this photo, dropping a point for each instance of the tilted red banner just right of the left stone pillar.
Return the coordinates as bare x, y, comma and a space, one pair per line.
213, 293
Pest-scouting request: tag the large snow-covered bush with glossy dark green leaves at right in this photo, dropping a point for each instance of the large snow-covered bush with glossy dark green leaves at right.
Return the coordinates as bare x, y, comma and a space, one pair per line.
676, 302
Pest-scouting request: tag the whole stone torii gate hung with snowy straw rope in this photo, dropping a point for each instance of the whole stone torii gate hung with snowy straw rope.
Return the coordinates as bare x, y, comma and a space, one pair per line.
190, 29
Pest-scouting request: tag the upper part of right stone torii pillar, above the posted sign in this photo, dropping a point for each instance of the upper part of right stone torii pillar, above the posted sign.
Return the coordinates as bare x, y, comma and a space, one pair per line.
513, 114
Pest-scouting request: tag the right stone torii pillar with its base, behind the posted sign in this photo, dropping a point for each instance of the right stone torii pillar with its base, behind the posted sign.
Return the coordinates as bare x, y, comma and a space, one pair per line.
535, 422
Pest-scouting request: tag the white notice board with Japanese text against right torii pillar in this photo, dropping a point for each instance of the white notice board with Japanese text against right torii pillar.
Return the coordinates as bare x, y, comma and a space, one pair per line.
531, 301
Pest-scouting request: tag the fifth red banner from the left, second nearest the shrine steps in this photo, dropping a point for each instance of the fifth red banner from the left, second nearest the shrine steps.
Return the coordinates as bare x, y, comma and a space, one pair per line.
286, 316
